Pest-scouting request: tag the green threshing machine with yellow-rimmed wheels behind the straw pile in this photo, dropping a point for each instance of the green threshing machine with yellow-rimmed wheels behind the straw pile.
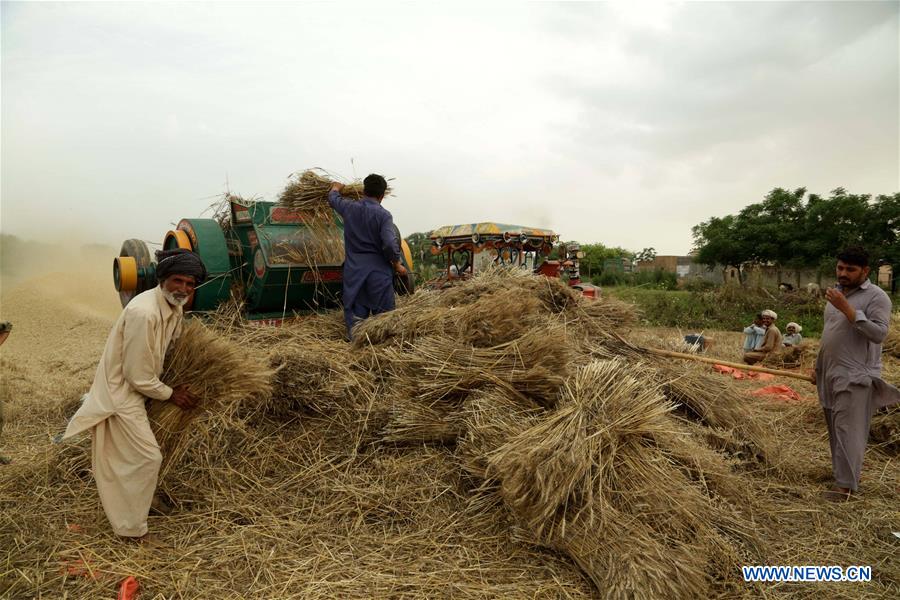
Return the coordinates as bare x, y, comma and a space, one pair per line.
279, 261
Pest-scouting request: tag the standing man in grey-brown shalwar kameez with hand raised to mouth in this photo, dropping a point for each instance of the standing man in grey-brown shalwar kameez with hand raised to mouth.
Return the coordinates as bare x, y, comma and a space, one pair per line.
848, 367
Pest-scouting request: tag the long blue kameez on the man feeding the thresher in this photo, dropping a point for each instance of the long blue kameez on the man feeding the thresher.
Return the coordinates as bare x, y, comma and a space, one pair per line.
370, 242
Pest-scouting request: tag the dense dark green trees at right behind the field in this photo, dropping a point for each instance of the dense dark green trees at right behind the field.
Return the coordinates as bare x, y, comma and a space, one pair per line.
798, 230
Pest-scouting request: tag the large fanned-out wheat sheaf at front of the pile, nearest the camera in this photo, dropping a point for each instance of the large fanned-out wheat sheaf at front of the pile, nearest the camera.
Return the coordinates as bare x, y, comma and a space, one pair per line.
596, 480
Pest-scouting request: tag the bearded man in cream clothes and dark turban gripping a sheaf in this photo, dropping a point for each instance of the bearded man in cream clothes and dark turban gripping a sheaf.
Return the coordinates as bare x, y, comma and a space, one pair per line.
124, 453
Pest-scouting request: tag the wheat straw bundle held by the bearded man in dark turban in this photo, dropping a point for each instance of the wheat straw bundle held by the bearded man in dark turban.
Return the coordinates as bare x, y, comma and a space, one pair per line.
227, 380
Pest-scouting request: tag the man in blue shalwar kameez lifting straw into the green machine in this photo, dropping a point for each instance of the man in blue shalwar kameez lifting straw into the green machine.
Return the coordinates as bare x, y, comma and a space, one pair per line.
371, 249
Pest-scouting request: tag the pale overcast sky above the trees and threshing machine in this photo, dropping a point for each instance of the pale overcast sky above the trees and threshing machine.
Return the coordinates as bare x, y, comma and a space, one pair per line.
610, 123
